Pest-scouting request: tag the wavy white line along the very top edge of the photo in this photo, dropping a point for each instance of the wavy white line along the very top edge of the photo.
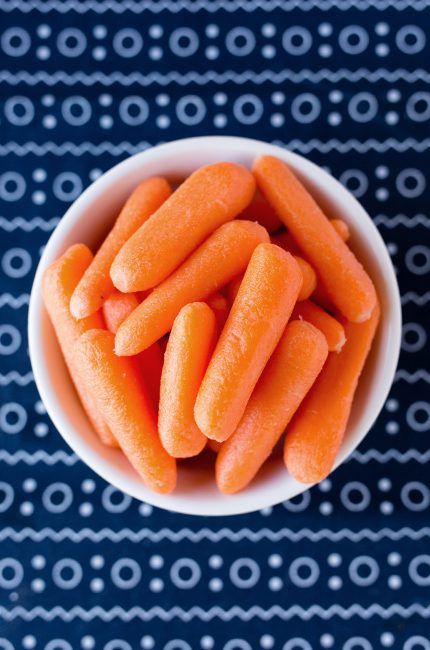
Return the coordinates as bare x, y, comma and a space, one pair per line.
194, 6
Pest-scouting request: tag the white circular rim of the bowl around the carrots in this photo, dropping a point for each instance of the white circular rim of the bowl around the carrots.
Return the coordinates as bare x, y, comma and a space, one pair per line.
225, 505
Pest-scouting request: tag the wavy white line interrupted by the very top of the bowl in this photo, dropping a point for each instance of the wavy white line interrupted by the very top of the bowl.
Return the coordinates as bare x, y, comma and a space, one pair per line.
381, 146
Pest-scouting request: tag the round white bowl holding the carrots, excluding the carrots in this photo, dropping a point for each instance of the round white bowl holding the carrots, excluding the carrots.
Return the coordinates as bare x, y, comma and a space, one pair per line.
89, 218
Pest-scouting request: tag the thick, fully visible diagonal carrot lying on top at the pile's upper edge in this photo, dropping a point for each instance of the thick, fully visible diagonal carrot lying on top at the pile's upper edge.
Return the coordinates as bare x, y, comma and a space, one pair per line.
211, 196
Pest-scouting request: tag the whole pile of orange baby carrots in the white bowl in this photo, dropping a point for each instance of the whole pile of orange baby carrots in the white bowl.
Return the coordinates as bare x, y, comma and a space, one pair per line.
221, 314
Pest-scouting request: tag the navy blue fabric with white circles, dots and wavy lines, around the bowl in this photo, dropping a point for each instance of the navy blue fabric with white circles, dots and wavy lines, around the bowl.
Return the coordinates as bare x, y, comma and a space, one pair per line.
82, 86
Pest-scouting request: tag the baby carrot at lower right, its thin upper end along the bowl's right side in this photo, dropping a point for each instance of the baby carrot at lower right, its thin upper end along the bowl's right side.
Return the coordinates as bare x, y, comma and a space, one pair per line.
317, 430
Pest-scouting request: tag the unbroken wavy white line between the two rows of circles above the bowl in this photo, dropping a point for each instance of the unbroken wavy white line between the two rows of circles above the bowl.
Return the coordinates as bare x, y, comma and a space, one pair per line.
201, 79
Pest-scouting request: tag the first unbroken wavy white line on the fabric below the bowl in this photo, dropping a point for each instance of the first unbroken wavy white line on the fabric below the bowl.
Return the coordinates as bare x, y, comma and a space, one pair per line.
206, 534
